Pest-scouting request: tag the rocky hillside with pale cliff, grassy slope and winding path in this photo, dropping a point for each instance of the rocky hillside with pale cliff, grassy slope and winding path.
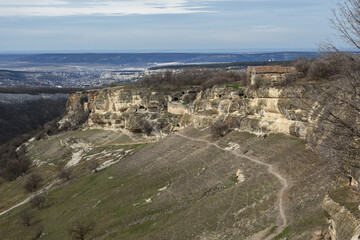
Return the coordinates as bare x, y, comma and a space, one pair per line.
224, 160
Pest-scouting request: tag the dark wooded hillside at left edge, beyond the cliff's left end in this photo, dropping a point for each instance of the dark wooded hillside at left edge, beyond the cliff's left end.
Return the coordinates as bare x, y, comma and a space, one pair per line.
23, 110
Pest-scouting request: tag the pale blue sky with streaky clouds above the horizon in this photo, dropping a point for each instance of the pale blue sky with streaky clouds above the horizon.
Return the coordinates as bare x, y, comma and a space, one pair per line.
164, 25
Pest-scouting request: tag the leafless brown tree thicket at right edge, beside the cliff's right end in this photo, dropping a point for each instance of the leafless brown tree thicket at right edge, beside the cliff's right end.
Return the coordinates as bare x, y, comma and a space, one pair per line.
334, 104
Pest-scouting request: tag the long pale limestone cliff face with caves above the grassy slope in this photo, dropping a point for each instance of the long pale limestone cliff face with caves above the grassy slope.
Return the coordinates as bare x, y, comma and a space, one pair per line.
263, 111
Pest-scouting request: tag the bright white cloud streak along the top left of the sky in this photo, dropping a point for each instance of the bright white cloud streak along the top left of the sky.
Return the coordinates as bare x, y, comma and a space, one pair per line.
108, 8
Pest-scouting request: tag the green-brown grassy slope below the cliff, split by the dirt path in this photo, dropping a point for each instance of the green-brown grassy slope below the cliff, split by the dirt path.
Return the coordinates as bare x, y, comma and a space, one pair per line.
201, 198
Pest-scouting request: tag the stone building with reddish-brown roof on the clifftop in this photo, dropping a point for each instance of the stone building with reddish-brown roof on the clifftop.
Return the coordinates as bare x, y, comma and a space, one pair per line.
272, 74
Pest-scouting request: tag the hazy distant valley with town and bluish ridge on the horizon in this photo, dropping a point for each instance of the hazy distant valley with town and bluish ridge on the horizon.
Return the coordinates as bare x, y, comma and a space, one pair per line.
93, 70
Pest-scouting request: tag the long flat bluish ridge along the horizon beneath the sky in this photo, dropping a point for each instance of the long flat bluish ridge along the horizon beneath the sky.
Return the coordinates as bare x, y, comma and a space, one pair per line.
128, 60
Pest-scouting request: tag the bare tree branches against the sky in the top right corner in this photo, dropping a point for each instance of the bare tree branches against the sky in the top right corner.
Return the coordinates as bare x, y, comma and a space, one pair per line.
346, 21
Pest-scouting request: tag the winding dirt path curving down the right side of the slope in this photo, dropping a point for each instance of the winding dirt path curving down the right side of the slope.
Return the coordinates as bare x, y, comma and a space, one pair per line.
270, 169
